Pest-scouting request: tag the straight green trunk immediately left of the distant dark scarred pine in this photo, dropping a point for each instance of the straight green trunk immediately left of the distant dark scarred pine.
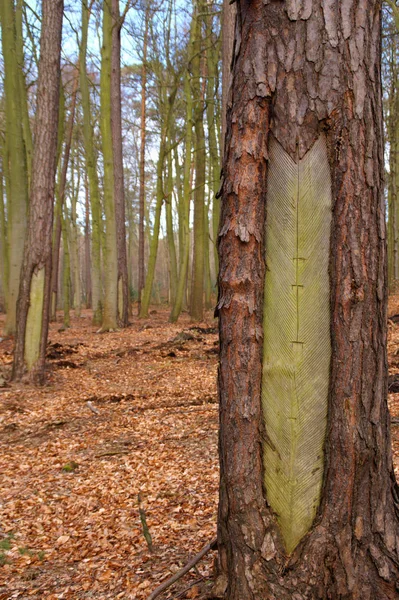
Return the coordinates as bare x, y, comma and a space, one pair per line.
110, 313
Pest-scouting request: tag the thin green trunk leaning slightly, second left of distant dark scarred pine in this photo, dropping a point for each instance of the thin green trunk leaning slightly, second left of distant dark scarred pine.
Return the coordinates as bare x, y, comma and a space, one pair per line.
91, 168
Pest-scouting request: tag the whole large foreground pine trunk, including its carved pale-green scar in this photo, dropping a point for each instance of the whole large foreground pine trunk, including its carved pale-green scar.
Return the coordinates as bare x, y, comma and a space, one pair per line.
315, 69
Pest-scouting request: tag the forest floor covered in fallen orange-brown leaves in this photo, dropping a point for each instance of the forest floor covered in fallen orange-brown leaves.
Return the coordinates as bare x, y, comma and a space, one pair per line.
126, 426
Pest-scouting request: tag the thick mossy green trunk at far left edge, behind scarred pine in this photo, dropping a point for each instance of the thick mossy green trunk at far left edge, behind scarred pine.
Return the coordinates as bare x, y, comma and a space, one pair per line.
17, 188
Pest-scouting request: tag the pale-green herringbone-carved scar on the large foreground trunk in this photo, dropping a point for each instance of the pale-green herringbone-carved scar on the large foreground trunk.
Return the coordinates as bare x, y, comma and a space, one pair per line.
297, 345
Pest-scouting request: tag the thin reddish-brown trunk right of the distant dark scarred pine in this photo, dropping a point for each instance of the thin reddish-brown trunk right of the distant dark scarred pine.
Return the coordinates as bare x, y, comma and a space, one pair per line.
141, 260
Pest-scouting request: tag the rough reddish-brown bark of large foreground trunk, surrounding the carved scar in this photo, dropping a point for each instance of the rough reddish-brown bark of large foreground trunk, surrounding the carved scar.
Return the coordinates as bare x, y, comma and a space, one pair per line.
302, 68
